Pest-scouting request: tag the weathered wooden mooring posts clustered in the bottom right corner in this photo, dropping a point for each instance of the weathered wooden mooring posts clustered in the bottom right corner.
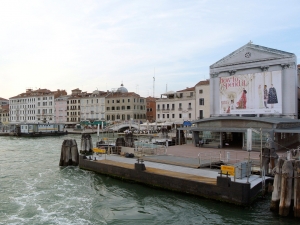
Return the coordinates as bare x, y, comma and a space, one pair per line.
286, 188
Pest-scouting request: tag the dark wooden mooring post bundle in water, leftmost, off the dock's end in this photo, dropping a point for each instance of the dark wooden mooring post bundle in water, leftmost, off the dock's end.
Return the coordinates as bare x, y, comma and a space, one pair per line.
69, 153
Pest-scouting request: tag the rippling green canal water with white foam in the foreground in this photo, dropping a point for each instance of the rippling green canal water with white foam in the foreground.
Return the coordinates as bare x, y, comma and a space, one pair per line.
35, 190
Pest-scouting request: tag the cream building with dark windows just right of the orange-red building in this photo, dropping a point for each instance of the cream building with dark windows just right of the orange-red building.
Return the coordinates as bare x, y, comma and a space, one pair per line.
176, 107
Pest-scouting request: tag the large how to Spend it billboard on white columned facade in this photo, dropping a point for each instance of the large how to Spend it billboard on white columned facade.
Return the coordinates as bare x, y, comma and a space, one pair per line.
257, 93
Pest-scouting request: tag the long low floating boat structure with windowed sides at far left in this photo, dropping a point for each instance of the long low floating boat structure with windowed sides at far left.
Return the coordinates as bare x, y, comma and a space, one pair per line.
37, 129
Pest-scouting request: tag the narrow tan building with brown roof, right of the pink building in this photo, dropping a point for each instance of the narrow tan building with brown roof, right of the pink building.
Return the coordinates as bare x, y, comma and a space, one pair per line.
73, 106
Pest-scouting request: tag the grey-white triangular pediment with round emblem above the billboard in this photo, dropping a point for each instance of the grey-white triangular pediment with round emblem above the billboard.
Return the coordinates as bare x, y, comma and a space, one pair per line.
251, 53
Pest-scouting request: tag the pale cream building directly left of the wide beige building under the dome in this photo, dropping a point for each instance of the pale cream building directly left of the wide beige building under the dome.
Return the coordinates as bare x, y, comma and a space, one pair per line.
92, 107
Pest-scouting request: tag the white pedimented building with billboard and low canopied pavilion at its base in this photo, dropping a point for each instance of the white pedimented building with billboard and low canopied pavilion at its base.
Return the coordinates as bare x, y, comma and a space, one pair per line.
254, 88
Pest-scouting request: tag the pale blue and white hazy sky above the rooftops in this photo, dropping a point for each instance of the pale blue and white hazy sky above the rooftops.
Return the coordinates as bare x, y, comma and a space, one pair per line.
98, 45
